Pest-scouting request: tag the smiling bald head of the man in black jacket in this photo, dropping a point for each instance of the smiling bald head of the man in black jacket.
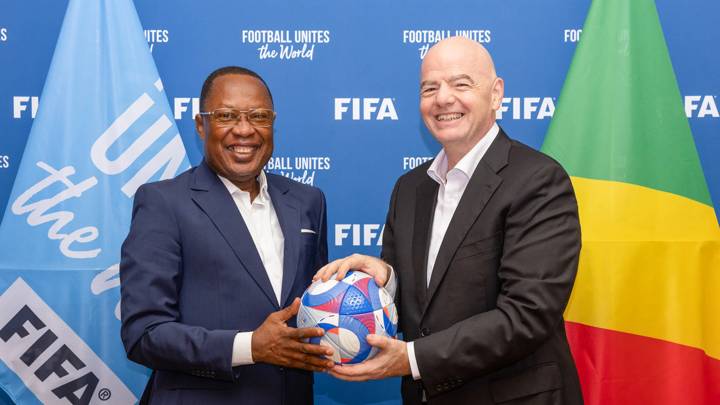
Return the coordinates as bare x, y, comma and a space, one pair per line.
459, 94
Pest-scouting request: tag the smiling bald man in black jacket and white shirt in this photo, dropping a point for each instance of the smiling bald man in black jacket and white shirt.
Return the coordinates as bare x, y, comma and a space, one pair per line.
482, 244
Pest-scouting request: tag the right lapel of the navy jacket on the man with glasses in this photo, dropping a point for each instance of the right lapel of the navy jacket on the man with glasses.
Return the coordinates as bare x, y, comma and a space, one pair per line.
289, 217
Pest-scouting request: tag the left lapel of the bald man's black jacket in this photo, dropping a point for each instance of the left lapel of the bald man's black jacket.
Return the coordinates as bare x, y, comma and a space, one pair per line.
426, 197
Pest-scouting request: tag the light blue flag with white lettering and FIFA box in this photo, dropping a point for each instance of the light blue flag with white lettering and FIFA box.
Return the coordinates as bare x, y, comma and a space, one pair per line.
102, 129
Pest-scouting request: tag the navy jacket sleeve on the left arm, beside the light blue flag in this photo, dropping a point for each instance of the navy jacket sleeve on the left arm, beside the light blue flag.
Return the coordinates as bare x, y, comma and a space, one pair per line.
150, 282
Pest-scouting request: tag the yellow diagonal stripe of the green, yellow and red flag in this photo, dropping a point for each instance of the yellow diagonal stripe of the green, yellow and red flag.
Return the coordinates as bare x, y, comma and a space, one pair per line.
649, 265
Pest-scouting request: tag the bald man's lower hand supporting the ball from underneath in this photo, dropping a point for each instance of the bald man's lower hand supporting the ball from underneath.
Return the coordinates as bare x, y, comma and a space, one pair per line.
391, 361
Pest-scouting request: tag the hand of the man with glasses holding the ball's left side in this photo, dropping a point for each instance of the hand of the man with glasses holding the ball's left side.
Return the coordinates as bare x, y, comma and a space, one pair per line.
276, 343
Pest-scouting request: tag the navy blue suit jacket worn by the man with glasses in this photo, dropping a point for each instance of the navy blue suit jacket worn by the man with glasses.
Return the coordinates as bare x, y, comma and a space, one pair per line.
191, 278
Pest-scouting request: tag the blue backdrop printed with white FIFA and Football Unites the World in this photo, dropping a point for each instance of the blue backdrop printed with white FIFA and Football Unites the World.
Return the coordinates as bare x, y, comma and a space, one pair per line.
344, 76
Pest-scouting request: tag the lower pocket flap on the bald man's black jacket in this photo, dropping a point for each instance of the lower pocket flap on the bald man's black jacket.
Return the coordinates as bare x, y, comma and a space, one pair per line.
533, 385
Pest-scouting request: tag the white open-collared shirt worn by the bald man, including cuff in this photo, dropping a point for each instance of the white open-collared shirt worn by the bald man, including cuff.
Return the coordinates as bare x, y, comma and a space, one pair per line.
452, 186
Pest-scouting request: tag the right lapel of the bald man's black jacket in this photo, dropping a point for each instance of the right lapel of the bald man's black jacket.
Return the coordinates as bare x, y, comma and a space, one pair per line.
480, 189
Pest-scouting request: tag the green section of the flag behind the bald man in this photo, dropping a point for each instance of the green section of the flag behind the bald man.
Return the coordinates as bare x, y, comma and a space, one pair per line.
620, 115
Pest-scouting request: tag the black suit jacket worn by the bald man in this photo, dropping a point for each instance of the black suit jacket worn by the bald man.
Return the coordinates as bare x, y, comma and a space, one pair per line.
489, 328
